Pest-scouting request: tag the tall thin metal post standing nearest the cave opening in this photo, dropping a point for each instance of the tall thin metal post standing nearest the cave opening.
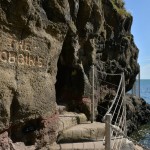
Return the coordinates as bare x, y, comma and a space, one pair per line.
92, 104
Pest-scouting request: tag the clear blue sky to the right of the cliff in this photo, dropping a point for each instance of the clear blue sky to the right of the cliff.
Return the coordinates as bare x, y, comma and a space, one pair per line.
140, 10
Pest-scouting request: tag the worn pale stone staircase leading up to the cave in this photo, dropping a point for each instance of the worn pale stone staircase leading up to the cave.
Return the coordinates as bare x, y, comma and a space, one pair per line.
75, 132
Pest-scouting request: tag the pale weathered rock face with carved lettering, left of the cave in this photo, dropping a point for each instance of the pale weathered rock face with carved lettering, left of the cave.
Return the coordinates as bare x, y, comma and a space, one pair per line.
29, 50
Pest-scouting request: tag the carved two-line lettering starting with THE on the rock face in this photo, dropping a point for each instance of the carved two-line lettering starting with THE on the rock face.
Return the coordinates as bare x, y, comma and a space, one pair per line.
20, 53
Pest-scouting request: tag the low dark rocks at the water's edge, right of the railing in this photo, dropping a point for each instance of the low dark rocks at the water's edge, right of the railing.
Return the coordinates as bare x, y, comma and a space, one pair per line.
138, 112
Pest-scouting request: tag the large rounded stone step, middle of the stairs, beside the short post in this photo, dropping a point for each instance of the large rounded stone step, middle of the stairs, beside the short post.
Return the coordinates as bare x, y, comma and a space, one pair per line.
82, 132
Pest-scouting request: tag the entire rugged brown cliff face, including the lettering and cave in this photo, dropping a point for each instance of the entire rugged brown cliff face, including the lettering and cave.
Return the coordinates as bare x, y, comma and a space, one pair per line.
47, 48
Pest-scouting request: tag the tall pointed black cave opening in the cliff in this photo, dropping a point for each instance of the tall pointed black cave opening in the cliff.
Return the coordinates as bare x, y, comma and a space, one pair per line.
70, 77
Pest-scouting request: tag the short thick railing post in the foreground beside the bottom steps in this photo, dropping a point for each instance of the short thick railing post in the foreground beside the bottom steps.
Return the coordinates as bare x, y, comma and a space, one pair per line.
108, 132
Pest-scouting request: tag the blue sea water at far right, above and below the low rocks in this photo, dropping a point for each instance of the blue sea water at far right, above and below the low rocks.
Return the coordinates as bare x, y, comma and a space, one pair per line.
143, 134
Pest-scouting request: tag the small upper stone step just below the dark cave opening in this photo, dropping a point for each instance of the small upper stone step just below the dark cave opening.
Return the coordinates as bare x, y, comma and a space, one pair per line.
69, 119
